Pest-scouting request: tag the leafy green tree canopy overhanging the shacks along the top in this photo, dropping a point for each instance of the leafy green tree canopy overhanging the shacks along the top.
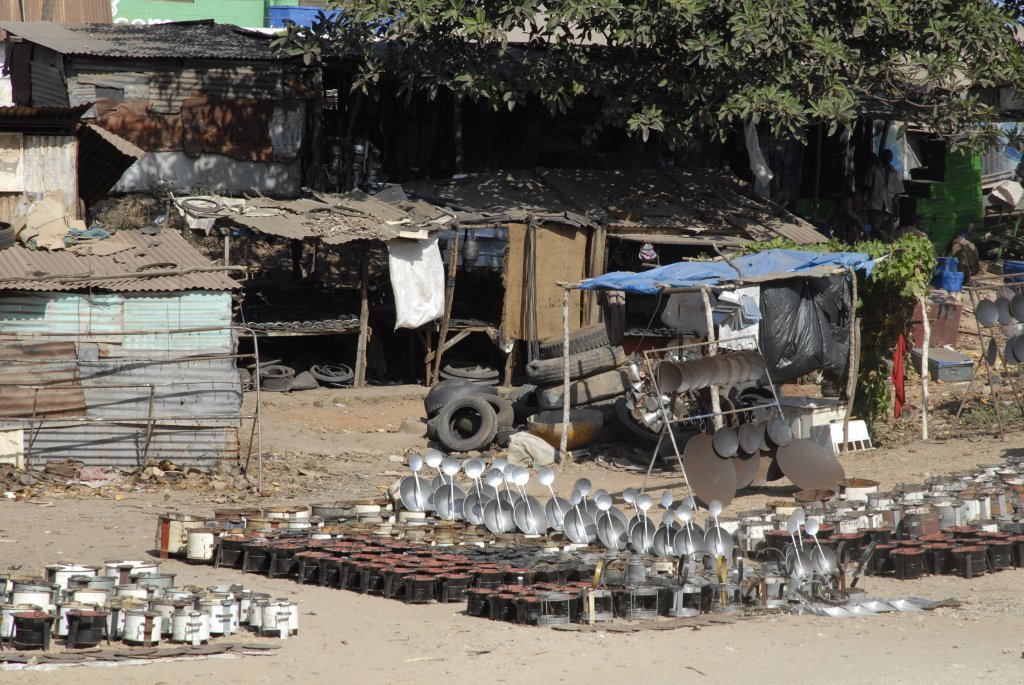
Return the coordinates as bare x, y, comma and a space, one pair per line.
691, 68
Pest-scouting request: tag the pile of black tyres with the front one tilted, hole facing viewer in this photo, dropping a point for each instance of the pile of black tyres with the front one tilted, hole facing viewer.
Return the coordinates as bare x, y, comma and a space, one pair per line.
464, 416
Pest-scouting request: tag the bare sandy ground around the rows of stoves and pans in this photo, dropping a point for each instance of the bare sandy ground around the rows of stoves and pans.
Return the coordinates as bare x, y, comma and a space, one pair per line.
332, 437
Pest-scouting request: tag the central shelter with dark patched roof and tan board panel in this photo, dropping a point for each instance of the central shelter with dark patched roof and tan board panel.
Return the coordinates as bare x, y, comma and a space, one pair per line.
557, 226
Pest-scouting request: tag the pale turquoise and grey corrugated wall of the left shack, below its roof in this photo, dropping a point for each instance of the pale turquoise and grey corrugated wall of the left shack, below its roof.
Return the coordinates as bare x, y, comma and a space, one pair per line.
155, 394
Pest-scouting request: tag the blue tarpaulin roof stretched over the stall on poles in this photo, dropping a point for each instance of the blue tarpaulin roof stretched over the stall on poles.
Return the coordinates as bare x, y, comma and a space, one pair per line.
688, 275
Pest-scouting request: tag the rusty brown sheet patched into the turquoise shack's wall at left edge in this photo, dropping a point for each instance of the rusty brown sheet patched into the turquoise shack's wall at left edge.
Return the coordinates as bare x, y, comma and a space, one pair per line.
40, 380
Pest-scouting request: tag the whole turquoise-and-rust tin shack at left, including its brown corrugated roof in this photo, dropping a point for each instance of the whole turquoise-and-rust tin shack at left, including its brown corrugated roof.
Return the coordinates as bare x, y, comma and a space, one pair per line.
118, 357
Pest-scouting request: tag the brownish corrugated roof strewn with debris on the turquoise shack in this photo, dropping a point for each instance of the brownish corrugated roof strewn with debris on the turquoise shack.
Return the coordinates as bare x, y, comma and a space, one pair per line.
22, 269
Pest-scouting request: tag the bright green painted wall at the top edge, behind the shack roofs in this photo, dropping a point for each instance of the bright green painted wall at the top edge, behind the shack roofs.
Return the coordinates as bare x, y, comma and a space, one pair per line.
248, 14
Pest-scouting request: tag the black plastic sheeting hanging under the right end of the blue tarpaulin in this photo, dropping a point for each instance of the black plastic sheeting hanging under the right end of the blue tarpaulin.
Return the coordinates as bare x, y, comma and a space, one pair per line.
805, 326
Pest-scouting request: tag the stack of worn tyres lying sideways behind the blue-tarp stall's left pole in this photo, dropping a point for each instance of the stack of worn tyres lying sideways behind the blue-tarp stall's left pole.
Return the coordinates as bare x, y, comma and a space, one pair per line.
596, 373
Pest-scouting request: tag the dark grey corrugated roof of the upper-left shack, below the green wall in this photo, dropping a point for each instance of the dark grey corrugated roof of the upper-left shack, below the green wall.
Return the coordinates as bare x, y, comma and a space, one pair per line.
158, 40
